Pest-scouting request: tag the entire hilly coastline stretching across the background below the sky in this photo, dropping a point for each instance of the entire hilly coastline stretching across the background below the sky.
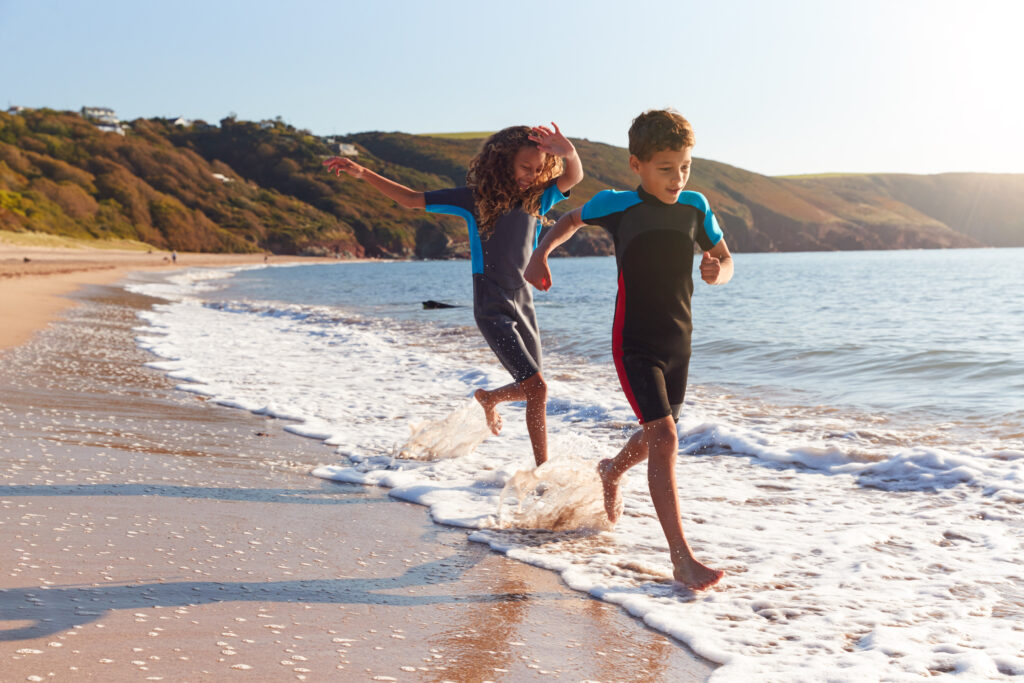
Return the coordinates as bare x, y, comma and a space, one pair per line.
243, 187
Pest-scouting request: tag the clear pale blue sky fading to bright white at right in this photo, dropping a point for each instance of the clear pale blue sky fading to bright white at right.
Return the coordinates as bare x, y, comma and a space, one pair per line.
778, 88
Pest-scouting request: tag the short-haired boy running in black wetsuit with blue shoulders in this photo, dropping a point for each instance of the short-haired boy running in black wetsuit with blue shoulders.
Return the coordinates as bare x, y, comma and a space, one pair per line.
655, 229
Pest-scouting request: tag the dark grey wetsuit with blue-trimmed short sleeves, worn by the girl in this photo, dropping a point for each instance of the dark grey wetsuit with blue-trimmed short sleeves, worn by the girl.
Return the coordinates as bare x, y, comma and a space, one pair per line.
503, 305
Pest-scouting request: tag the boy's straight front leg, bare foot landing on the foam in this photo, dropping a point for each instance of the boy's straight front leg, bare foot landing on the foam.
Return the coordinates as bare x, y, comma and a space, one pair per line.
663, 446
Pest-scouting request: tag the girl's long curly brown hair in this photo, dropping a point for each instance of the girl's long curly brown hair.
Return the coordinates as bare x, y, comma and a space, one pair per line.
493, 179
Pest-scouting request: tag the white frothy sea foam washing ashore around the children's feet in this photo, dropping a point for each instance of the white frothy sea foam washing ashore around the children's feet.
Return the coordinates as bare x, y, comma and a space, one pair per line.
855, 548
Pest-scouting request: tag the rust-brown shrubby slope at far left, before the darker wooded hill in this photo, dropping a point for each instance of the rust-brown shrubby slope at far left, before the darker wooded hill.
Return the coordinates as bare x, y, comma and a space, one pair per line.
61, 176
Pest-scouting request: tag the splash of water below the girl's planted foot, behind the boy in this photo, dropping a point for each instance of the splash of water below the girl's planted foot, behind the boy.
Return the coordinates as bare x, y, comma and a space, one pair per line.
565, 494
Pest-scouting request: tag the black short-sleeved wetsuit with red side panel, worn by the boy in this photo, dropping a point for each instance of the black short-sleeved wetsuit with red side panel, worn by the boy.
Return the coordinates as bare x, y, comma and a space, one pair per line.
655, 246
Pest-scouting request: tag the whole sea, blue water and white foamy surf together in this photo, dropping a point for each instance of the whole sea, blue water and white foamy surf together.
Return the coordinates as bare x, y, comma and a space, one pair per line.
851, 448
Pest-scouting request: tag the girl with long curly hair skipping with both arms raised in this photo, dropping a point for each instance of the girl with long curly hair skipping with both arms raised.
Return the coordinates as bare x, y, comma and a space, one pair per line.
518, 177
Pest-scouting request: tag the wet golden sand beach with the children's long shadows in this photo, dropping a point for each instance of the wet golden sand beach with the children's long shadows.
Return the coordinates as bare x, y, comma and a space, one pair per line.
150, 535
